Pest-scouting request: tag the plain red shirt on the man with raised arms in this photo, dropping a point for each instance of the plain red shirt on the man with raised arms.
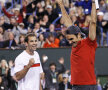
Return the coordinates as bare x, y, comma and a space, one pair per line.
82, 63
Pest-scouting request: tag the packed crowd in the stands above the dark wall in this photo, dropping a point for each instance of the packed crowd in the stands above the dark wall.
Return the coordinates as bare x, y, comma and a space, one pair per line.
44, 18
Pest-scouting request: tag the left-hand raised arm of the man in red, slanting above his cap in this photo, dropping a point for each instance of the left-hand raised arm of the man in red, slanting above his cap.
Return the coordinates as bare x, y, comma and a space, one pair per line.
66, 18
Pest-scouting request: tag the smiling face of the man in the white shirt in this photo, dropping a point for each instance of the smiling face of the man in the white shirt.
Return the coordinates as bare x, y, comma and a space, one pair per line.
32, 43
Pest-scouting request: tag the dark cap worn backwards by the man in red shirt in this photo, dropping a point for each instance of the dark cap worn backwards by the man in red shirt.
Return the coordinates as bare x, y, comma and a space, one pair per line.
74, 30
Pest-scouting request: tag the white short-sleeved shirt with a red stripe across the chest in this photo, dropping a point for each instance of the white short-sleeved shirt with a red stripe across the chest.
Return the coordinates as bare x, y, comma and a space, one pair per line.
31, 81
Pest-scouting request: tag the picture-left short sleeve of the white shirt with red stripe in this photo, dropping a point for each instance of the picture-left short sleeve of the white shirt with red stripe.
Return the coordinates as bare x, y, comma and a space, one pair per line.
18, 65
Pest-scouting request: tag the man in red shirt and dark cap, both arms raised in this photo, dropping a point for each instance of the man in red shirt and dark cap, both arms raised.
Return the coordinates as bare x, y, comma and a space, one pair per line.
83, 51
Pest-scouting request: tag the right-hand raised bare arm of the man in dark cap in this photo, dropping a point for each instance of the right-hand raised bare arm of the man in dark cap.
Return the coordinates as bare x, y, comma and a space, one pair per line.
92, 27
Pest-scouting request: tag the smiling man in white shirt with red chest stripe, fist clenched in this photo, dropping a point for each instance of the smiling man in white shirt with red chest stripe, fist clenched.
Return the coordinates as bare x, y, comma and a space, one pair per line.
28, 69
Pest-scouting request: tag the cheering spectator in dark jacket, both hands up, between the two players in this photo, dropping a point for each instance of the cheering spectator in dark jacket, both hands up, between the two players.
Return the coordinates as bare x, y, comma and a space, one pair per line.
51, 74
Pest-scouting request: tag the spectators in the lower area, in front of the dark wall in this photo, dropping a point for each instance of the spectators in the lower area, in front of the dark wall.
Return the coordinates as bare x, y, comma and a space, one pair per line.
56, 77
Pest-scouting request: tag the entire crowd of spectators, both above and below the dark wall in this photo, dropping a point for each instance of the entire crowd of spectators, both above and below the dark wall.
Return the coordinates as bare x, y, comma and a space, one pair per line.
44, 18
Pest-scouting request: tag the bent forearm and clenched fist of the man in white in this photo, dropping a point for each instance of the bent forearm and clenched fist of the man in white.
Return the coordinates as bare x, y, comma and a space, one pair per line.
21, 74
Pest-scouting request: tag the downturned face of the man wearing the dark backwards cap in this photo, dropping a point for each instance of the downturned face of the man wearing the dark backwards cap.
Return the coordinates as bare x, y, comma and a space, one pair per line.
73, 39
